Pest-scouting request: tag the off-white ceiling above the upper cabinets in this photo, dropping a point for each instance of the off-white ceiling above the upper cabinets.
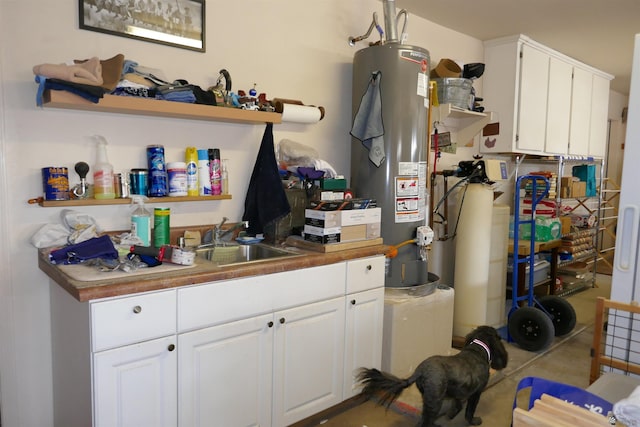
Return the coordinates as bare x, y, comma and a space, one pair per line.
599, 33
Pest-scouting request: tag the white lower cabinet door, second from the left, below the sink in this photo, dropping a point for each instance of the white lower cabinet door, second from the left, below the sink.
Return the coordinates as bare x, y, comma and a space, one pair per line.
225, 374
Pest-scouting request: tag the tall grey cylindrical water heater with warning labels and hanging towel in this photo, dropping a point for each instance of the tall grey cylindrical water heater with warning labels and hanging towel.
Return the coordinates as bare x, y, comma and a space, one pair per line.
388, 147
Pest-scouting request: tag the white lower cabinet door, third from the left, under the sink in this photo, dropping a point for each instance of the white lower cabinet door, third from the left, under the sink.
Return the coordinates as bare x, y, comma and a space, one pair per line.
308, 360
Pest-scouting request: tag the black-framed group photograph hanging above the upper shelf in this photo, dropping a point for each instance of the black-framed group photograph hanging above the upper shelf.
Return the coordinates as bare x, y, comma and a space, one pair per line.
178, 23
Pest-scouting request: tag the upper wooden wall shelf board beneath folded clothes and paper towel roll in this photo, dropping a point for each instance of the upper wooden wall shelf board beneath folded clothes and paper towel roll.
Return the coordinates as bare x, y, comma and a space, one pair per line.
157, 108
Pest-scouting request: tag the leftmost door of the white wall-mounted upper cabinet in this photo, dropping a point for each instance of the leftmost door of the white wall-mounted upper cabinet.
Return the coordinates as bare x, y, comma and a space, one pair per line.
534, 79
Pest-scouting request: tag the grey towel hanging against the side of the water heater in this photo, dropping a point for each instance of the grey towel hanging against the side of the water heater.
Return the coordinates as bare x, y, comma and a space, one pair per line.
367, 124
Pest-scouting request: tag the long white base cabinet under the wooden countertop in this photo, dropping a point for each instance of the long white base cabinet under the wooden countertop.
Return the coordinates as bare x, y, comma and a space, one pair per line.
256, 351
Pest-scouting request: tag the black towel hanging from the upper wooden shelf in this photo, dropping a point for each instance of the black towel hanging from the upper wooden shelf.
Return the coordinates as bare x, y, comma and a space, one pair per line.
266, 200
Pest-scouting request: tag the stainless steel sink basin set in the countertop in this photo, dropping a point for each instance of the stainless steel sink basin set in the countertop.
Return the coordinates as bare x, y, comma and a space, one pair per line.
242, 254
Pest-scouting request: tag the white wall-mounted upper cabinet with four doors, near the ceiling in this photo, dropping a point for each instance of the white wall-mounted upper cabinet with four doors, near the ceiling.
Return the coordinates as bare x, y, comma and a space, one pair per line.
546, 103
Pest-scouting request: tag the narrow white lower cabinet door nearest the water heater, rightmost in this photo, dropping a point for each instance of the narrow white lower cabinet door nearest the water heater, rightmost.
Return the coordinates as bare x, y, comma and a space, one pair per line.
363, 335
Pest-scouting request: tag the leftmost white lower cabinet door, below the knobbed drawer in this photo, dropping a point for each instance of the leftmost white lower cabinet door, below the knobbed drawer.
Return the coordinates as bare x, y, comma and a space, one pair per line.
136, 385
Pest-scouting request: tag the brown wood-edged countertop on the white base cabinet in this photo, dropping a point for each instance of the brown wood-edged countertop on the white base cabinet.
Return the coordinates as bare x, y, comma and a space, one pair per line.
200, 273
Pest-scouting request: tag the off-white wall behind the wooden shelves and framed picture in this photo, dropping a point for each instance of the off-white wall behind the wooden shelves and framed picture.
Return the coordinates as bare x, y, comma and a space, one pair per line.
290, 48
